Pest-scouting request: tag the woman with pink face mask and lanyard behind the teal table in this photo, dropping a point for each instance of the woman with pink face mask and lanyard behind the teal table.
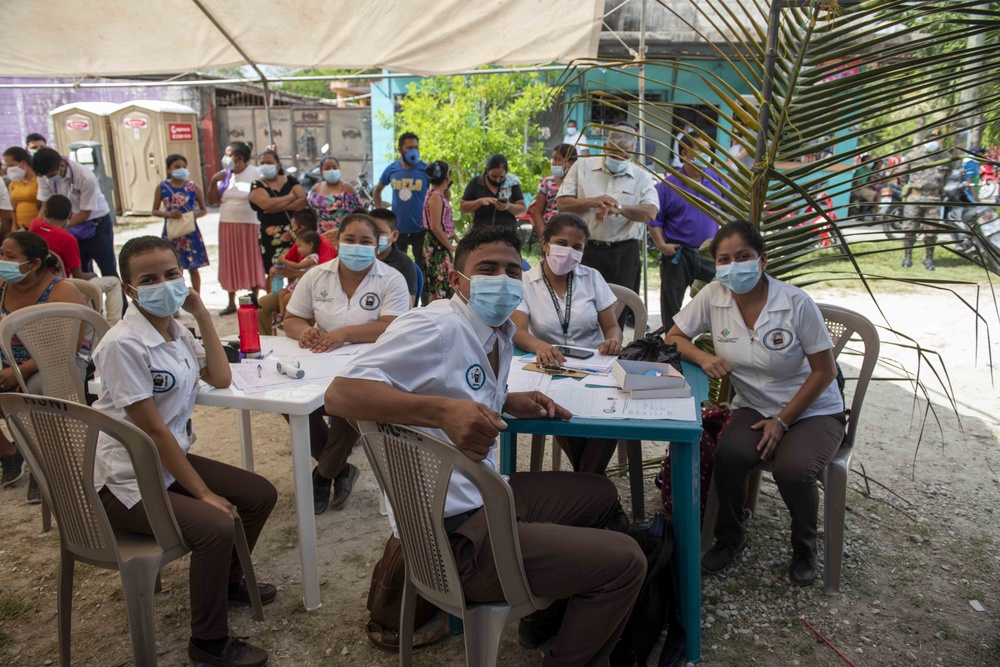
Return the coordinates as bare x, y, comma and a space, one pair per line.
568, 304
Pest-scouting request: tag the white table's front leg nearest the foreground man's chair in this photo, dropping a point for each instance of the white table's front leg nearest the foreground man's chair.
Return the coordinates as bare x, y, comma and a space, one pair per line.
302, 474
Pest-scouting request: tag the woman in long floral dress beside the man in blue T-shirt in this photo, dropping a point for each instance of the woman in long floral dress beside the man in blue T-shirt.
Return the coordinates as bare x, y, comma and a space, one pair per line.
439, 245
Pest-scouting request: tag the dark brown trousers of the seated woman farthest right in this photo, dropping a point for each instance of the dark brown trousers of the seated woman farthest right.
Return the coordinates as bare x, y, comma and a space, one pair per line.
799, 458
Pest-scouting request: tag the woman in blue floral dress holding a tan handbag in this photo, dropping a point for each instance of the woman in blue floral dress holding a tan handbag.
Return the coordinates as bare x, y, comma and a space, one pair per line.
178, 195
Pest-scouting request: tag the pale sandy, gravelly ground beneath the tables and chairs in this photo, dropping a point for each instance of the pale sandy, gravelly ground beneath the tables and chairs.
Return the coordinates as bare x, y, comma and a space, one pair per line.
922, 535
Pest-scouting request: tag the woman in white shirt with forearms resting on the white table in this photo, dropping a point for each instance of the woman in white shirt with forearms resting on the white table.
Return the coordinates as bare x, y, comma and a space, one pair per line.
352, 299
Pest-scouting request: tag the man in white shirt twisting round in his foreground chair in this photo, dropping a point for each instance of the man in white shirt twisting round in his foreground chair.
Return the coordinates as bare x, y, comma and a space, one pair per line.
444, 368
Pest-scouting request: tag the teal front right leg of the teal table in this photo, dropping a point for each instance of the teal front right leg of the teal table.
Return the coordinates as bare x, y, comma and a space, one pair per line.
685, 479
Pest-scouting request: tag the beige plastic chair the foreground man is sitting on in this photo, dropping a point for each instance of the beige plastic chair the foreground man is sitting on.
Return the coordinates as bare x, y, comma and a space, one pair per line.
413, 469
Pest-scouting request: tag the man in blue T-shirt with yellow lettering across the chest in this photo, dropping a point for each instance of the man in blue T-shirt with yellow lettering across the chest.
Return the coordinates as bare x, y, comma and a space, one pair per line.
408, 178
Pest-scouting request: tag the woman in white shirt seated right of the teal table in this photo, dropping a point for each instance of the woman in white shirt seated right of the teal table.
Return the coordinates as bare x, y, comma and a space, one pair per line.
771, 339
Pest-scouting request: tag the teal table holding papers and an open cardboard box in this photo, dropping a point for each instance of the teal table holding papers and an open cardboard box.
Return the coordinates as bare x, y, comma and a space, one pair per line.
685, 475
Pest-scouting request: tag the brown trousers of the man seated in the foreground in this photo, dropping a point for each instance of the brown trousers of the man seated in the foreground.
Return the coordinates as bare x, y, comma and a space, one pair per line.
567, 556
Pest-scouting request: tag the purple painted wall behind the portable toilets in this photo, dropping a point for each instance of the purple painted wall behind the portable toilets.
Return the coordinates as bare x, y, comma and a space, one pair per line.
26, 110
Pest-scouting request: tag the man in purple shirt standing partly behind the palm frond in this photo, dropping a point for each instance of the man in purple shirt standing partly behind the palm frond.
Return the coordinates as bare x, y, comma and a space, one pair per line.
681, 227
